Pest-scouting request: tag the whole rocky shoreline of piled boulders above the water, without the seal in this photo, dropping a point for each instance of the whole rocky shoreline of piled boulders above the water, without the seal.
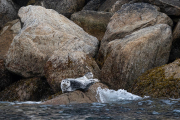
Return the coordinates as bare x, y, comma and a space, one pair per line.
126, 44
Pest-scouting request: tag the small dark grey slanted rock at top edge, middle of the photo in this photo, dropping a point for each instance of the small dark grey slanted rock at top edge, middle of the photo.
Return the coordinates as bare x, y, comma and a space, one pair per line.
93, 5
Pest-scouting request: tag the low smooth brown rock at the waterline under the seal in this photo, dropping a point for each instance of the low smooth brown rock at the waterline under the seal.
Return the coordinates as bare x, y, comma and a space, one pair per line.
77, 96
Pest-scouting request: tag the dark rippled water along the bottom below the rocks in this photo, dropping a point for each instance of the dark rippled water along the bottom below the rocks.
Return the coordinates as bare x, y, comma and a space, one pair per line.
147, 109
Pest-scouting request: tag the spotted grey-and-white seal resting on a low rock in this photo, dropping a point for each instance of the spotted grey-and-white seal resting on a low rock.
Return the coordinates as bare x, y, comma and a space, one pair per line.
82, 83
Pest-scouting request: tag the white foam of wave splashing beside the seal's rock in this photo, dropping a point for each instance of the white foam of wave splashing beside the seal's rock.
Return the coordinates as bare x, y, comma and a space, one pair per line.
108, 95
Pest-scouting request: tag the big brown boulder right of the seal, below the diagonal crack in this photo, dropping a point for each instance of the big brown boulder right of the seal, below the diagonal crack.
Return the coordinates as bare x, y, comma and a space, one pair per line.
133, 55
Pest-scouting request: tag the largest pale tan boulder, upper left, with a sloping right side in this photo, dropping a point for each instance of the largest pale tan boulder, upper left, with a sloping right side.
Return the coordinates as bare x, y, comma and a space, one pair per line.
45, 31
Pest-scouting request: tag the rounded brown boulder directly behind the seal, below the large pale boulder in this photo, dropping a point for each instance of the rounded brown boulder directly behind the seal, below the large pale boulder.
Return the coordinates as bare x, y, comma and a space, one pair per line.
66, 64
